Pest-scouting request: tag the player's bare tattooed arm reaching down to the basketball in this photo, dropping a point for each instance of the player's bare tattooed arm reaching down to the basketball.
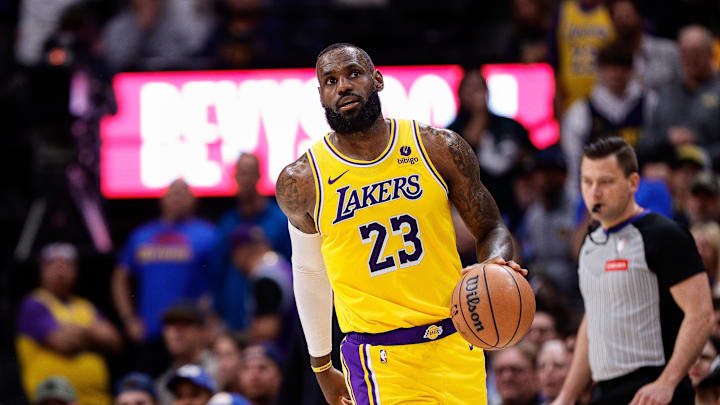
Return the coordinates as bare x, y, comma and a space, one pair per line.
458, 165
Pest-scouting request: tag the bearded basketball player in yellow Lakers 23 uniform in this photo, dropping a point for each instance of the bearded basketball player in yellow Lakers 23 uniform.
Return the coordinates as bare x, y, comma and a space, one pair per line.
369, 213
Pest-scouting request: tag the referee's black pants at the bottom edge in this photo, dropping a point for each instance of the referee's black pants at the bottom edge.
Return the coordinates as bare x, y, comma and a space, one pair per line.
621, 390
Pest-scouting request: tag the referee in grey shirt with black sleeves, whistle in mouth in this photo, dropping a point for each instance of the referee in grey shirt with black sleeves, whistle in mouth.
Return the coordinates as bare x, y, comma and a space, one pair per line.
647, 298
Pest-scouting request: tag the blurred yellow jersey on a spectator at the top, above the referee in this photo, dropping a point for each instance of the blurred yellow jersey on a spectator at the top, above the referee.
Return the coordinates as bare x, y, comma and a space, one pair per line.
580, 35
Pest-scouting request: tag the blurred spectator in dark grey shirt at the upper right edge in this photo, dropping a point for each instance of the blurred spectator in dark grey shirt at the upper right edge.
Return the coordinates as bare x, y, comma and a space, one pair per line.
689, 109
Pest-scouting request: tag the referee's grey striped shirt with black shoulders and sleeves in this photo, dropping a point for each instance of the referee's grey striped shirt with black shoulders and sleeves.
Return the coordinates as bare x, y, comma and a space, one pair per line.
625, 275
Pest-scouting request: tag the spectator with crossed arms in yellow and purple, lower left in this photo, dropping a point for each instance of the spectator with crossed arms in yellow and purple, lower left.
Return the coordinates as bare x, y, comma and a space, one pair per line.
59, 333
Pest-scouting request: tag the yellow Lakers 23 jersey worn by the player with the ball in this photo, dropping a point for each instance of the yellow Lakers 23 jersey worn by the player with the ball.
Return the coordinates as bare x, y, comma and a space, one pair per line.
388, 240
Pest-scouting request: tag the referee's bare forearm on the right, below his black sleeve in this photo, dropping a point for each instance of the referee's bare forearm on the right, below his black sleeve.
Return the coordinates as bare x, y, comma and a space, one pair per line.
693, 297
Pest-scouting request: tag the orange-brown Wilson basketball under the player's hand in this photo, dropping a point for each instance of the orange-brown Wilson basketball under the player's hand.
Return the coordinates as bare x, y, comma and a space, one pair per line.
492, 306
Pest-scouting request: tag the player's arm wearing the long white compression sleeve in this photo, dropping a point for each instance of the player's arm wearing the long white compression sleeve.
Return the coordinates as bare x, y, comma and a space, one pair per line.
295, 193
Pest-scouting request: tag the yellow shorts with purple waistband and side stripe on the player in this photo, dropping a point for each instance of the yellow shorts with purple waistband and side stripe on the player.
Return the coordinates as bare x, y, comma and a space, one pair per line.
428, 364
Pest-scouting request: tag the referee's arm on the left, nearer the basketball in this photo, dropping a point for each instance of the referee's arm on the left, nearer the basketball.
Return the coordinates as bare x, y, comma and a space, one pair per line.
579, 375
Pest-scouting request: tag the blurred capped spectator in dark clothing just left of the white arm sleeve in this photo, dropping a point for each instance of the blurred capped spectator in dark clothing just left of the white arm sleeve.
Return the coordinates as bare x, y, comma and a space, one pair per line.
271, 297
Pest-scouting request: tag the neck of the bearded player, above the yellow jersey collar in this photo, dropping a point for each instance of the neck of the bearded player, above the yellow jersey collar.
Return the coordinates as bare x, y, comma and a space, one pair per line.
364, 145
